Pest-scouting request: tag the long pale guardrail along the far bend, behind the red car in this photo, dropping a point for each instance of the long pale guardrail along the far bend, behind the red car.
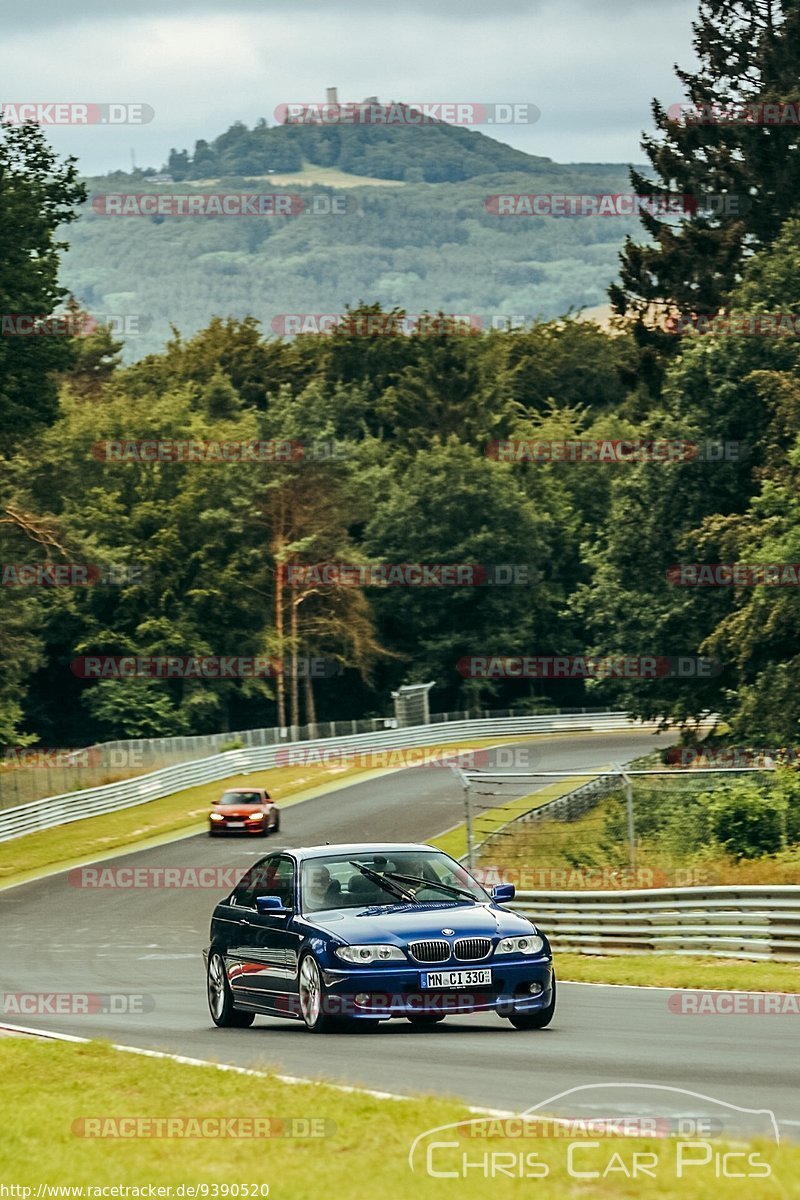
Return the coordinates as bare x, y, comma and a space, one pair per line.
58, 811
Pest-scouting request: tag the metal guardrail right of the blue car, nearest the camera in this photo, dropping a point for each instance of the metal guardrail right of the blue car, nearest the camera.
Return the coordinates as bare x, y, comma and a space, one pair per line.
720, 922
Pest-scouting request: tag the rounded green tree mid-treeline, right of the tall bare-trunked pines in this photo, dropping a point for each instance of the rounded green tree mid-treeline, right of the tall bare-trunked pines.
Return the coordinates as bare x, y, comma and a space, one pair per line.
452, 505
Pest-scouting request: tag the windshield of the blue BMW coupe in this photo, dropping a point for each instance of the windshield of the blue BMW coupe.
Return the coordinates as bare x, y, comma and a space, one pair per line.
365, 880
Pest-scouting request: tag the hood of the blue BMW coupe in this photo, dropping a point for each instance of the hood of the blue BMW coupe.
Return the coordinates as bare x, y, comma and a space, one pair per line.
401, 923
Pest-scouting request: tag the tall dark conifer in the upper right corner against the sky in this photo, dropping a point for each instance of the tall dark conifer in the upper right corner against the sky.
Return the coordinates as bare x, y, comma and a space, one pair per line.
750, 58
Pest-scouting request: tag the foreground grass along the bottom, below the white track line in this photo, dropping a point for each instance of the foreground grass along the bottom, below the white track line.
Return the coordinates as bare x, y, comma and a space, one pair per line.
46, 1088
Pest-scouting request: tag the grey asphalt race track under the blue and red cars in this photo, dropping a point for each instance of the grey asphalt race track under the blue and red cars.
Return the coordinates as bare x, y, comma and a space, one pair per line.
58, 938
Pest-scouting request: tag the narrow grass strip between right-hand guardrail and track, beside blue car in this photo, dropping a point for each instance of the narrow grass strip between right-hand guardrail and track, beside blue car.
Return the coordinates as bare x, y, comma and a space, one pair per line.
679, 971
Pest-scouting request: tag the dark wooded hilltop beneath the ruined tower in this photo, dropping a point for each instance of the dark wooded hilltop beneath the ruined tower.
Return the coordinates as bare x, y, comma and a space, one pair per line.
435, 153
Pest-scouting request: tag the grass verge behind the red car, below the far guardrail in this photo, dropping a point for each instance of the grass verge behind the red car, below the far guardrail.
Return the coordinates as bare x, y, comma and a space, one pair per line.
183, 811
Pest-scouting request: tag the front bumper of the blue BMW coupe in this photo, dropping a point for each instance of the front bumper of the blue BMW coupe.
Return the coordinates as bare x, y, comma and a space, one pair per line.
378, 994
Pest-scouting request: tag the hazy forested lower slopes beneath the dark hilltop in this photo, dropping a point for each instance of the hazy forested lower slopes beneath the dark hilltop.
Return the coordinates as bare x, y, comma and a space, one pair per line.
425, 248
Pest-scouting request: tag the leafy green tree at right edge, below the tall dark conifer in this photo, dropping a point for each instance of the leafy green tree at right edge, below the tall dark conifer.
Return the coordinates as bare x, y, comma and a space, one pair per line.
721, 389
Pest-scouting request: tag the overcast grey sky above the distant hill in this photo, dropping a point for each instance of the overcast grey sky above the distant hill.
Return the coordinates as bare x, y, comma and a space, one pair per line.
591, 67
